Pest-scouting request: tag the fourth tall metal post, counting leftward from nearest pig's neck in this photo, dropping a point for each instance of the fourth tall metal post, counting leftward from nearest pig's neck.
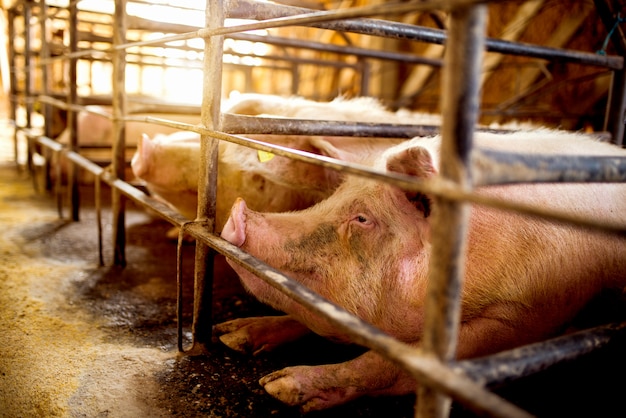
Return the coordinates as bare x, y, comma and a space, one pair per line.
72, 116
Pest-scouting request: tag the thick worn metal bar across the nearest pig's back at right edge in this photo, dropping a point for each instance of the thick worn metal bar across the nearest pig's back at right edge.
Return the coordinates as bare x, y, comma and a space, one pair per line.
495, 167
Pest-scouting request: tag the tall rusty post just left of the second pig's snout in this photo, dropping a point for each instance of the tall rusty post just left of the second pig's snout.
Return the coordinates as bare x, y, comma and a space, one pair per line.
119, 133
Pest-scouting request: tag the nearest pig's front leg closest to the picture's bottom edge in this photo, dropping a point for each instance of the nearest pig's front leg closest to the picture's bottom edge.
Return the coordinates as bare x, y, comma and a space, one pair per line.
319, 387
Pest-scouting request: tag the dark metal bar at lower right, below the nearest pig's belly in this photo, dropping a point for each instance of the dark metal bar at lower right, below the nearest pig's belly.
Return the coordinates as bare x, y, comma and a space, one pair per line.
507, 366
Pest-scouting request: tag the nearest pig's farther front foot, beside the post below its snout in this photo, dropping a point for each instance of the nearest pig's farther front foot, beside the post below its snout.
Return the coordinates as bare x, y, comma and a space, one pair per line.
258, 334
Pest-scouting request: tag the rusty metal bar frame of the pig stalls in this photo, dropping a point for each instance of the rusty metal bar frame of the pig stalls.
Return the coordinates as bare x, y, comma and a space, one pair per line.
439, 374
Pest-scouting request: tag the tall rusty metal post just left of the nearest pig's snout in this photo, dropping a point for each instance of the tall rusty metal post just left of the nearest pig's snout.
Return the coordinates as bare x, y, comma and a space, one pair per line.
207, 180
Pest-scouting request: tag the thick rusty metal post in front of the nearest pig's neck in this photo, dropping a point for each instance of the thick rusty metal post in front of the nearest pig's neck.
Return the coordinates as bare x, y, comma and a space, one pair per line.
460, 85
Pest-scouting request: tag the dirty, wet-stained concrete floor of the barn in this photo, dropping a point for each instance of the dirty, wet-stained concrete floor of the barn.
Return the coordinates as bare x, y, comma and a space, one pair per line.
82, 340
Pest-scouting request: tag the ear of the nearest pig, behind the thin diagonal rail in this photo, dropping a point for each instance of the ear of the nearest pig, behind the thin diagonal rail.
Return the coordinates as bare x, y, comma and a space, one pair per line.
417, 162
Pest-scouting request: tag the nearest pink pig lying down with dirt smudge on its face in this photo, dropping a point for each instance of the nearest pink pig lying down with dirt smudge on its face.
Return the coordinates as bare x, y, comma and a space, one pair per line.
367, 249
